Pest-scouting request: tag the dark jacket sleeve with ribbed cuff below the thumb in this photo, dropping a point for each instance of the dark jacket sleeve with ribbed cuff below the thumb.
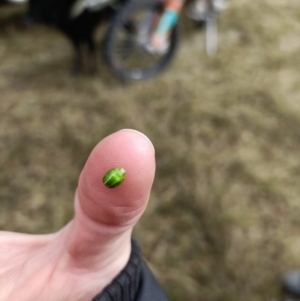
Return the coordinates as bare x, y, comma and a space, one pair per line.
135, 282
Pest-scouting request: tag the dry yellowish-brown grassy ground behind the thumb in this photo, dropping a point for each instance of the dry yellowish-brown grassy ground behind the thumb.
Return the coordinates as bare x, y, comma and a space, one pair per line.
223, 221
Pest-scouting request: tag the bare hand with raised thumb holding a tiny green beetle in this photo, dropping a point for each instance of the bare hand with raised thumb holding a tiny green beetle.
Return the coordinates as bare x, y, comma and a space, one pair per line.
77, 262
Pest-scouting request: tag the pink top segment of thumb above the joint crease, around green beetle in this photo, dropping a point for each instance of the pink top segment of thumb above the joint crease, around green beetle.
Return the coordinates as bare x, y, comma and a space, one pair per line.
124, 204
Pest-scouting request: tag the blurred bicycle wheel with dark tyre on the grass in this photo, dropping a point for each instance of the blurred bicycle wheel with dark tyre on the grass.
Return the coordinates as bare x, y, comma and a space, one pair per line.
127, 39
